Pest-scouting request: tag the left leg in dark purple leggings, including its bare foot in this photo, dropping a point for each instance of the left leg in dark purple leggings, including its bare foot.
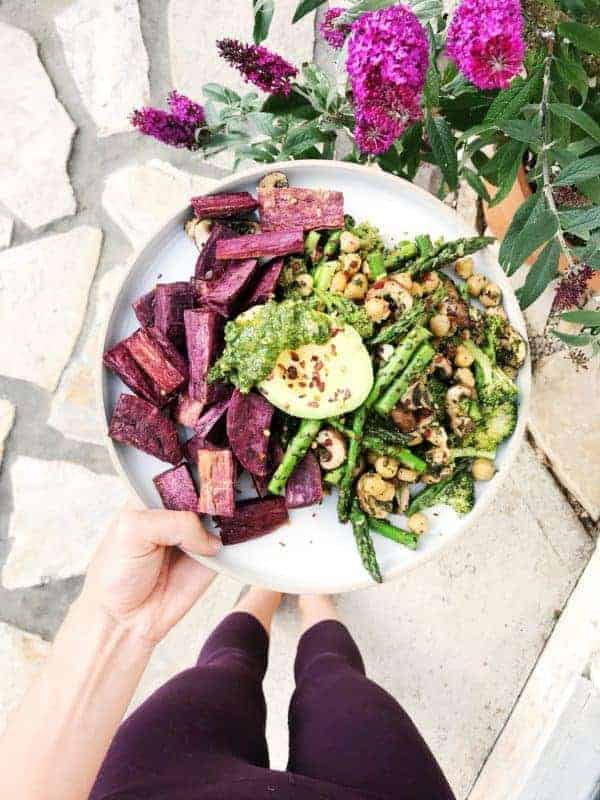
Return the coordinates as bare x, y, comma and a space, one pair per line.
207, 721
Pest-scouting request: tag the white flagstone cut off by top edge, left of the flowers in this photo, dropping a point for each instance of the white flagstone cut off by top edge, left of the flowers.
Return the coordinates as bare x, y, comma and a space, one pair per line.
105, 52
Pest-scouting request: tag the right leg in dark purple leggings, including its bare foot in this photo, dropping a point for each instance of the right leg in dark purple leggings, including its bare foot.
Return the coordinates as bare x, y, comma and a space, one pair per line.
346, 729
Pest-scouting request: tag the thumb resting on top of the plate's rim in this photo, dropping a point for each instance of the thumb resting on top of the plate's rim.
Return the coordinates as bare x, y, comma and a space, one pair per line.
147, 529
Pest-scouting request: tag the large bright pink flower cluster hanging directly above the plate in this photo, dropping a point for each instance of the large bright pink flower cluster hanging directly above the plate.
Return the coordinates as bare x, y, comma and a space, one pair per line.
388, 56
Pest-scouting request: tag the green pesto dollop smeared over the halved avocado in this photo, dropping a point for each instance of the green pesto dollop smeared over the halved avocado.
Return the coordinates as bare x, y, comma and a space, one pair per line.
255, 339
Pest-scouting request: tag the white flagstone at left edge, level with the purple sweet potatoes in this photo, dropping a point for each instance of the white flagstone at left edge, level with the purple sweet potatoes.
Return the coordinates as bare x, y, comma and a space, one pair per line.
44, 289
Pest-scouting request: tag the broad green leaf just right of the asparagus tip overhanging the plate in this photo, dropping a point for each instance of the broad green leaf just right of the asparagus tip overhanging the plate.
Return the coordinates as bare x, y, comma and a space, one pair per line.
532, 226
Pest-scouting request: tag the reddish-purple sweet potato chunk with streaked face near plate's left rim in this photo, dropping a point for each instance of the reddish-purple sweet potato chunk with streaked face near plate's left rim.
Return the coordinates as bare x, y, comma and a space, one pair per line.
159, 359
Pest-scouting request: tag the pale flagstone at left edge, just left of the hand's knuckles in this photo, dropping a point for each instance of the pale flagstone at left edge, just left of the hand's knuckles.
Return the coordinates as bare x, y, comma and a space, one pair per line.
60, 512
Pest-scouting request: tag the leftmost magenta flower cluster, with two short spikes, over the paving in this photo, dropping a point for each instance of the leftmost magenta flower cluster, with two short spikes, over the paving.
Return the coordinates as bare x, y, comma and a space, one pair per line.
177, 127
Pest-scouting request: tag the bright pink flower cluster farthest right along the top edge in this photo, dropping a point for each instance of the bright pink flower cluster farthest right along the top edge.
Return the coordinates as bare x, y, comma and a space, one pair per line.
485, 38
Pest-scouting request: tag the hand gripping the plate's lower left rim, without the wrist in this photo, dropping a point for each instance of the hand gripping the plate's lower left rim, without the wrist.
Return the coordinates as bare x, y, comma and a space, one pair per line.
141, 577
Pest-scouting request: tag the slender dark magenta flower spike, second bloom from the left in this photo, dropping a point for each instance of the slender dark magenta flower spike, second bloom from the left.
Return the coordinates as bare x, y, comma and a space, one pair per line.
267, 70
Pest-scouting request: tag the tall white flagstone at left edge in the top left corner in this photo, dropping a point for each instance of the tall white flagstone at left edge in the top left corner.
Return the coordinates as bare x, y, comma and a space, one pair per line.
35, 136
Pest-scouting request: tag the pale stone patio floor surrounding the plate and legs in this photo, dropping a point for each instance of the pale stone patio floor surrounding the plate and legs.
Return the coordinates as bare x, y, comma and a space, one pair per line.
456, 639
